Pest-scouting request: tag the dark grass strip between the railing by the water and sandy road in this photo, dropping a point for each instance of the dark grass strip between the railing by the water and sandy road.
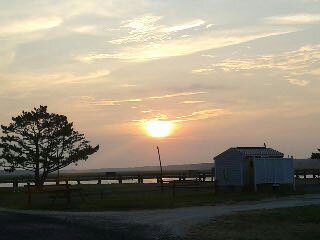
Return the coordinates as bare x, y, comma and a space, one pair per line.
138, 196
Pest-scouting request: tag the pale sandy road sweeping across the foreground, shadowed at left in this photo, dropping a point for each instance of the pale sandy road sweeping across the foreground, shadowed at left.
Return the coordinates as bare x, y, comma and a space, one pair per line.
143, 224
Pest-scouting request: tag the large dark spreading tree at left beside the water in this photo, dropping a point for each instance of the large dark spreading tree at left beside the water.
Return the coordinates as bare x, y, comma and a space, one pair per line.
43, 143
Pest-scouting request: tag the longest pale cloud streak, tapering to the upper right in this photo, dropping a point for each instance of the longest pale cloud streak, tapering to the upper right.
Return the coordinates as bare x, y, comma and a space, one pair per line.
183, 46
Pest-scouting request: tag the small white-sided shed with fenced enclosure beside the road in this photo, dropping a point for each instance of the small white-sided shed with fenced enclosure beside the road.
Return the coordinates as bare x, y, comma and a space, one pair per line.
249, 166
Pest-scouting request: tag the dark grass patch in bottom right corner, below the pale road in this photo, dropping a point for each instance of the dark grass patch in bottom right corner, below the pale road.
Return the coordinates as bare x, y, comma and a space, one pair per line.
290, 223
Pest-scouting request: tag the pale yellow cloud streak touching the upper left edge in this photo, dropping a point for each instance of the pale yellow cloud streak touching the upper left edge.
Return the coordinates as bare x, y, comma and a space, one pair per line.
29, 26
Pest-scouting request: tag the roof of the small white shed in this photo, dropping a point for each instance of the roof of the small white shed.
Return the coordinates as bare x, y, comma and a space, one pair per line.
255, 152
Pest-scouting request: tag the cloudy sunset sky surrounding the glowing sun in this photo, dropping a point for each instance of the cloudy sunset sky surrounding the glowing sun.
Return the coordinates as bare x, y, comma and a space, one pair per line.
227, 73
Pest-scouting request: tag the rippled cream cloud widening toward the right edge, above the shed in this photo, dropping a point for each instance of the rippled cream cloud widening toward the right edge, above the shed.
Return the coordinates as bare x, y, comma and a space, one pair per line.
293, 65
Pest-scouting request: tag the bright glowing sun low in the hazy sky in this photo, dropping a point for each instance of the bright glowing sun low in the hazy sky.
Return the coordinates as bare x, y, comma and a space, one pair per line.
158, 128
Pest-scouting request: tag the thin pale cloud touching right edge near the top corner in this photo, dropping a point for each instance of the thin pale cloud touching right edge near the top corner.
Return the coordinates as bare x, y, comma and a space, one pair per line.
303, 18
